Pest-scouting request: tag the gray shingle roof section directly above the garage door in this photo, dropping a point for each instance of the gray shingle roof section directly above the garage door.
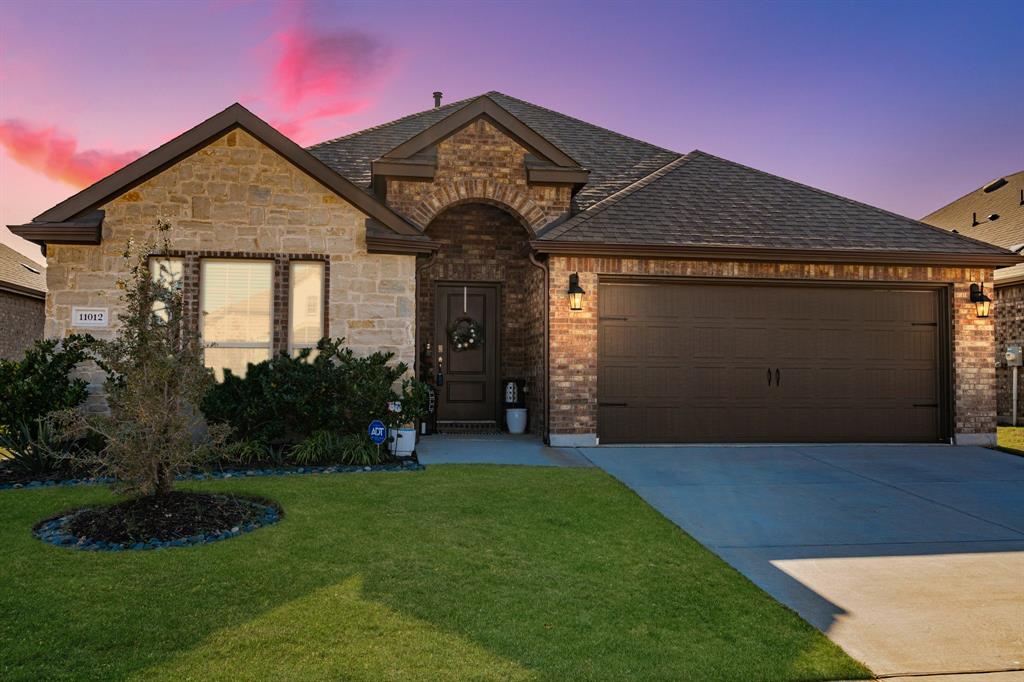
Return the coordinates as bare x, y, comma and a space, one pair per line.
702, 200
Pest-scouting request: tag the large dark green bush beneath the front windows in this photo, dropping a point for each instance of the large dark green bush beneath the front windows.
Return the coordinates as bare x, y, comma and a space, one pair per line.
285, 401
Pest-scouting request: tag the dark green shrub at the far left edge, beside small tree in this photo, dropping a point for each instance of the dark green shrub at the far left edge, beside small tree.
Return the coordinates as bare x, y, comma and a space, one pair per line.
30, 390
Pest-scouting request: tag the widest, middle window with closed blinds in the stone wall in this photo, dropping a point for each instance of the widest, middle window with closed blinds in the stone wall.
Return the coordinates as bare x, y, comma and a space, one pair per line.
237, 301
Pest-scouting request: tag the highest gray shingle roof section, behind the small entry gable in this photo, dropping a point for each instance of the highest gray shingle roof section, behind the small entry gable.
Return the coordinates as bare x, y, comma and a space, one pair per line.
615, 161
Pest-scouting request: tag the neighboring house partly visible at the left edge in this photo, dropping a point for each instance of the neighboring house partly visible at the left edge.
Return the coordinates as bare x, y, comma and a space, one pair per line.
23, 303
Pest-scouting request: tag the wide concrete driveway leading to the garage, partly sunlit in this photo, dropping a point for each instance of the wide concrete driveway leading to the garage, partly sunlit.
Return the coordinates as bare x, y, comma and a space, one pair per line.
910, 558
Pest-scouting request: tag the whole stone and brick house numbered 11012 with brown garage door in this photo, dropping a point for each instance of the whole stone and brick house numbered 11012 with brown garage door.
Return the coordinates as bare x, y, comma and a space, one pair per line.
720, 304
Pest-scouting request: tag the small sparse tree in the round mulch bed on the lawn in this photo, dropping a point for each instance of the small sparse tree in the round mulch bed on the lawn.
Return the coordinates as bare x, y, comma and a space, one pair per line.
156, 380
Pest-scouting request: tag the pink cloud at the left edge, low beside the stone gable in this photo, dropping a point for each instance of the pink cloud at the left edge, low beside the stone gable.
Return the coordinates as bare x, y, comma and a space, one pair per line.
56, 154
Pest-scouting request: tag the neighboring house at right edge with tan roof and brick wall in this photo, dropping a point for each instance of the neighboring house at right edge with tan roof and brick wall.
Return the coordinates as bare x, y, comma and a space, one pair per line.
995, 214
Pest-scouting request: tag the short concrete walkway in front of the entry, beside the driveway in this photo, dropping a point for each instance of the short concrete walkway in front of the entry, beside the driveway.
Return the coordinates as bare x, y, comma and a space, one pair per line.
497, 449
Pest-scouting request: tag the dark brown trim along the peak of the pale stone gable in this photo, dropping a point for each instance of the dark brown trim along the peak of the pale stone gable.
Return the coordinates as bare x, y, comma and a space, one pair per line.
185, 145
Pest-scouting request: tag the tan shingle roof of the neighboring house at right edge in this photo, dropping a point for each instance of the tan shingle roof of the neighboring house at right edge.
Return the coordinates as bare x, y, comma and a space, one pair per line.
1003, 199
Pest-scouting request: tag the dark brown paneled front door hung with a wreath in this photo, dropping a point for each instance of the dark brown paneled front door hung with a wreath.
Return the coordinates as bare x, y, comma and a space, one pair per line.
470, 389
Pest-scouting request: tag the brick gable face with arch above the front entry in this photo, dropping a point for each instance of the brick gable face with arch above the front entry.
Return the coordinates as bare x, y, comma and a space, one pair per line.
480, 164
